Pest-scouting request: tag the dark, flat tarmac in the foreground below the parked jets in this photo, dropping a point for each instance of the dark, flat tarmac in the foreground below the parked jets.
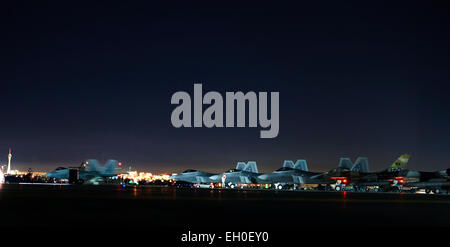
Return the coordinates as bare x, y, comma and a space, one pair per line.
50, 205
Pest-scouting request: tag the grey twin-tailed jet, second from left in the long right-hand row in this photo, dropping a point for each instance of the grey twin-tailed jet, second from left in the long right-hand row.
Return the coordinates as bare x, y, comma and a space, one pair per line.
245, 173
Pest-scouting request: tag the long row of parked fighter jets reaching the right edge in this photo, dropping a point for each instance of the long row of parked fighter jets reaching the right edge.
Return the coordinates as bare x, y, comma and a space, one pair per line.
347, 176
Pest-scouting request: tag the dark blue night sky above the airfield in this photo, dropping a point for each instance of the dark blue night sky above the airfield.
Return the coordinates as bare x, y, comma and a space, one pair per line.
84, 81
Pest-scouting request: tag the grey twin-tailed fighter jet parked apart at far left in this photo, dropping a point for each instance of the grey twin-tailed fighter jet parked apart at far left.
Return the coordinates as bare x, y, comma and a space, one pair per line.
88, 171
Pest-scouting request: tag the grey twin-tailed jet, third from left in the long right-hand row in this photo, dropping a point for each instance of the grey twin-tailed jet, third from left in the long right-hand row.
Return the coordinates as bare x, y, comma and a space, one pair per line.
289, 174
